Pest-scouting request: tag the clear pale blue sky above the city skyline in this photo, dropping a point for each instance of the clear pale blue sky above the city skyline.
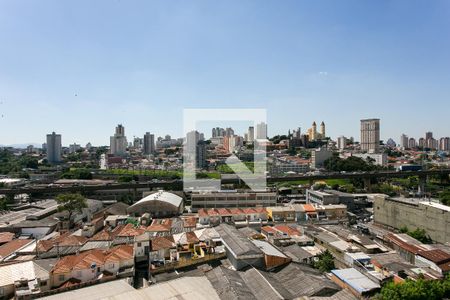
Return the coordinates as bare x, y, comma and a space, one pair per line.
140, 63
